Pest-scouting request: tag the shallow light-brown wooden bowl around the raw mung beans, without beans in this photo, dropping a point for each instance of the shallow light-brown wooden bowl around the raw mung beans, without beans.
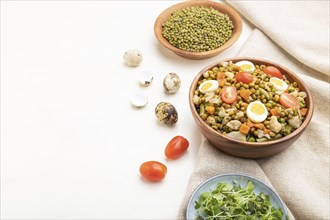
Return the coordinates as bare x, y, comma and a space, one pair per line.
235, 18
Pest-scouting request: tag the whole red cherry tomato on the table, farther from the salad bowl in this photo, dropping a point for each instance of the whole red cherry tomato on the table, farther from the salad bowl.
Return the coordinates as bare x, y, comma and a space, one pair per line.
153, 171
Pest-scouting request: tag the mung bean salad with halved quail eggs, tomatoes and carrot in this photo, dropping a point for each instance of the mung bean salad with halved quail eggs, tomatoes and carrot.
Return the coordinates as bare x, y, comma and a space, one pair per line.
248, 102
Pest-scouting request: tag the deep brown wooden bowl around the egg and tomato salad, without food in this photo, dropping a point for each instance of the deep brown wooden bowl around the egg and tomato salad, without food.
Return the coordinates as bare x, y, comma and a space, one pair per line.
251, 149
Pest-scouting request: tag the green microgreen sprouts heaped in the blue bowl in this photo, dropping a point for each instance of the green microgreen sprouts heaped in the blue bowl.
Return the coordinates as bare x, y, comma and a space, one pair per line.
235, 202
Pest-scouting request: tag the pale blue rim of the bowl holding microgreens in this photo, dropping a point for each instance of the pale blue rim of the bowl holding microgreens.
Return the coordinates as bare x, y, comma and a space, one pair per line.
285, 211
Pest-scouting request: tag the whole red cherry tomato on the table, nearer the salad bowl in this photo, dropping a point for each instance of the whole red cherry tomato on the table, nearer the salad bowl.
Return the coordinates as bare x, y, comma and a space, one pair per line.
176, 147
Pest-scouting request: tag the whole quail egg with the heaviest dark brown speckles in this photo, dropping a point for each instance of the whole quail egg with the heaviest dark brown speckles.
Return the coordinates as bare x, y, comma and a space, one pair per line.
166, 113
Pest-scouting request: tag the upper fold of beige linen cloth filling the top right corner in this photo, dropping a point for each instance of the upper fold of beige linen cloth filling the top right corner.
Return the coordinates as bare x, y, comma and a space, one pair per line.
300, 27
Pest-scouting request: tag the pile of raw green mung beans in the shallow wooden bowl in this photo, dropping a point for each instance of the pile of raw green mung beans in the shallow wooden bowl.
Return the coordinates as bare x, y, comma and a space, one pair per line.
197, 29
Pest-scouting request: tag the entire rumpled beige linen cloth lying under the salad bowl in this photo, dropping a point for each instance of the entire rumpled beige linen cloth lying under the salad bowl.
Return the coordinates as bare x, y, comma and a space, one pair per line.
300, 174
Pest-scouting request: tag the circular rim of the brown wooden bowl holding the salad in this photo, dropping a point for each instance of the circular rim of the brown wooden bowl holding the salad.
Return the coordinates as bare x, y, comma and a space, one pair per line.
301, 83
